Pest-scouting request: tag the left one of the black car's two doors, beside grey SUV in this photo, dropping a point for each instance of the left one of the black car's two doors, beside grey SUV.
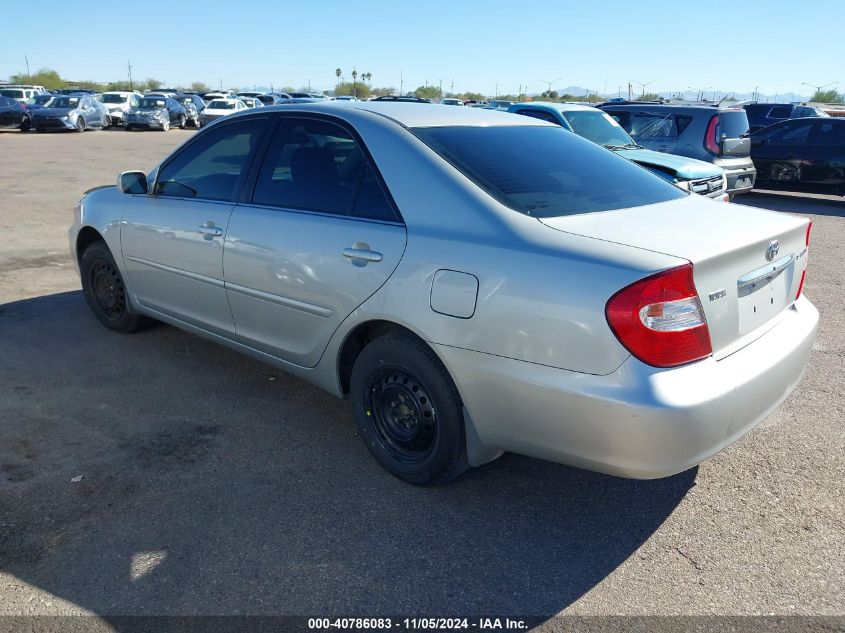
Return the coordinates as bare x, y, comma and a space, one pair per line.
778, 153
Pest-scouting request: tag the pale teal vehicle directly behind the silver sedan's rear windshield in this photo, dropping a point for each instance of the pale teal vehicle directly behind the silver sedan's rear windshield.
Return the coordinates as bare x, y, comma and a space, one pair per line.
593, 124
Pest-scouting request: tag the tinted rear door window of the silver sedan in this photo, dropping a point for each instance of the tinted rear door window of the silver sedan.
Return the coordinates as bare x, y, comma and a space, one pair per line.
317, 165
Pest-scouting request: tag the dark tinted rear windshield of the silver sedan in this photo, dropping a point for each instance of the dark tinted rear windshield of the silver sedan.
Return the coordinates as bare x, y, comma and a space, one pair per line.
546, 171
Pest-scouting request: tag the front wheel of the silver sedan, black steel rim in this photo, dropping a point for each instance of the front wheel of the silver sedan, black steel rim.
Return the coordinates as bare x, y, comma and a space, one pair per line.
105, 293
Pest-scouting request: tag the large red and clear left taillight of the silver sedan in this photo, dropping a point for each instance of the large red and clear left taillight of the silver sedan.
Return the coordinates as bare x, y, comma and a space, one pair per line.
660, 320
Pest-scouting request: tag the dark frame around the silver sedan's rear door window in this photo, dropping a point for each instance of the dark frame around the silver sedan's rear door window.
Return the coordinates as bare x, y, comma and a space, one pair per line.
248, 191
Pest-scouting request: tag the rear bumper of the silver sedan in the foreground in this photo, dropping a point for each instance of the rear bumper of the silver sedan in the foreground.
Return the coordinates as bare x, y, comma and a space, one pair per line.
639, 421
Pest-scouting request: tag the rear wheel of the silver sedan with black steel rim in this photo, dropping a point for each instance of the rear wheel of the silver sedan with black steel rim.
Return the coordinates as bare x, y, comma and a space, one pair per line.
408, 410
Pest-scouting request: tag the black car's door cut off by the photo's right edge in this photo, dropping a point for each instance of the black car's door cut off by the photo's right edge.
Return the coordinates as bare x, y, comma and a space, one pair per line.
823, 168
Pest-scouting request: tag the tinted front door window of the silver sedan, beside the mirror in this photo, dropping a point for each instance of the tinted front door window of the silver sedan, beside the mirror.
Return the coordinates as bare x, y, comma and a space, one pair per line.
211, 167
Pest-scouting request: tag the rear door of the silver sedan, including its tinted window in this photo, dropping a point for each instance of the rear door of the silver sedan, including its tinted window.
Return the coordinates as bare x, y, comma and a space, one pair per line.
317, 237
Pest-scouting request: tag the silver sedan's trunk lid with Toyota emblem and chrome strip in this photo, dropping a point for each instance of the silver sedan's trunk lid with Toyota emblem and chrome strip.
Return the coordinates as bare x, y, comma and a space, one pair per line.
742, 290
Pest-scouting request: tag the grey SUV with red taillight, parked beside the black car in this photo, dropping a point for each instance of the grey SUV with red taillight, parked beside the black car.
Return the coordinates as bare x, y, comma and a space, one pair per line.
715, 135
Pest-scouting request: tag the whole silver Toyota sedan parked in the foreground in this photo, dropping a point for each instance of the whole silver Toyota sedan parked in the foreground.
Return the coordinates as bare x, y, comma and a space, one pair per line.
473, 281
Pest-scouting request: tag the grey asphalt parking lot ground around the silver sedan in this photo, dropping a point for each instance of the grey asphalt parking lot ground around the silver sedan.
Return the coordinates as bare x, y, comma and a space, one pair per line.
212, 484
